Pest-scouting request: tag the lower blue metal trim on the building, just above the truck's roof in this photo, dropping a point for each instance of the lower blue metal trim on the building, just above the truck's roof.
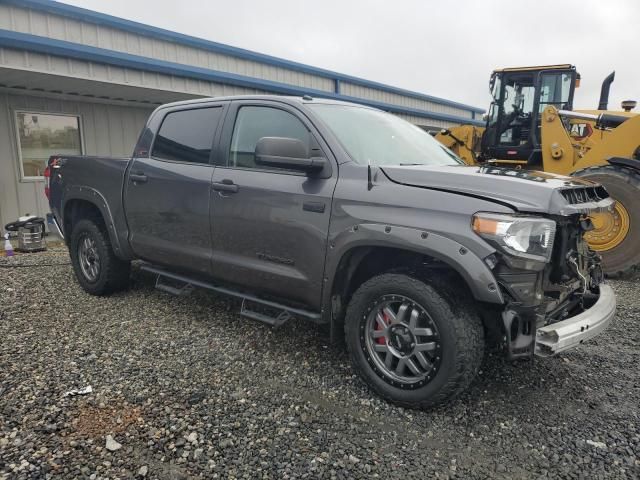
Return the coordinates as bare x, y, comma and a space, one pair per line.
25, 41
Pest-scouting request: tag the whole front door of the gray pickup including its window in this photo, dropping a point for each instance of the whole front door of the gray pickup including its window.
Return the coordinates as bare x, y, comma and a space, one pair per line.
270, 227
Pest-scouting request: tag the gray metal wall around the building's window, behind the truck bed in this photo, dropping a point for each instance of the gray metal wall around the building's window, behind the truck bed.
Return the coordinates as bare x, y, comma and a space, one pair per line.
107, 130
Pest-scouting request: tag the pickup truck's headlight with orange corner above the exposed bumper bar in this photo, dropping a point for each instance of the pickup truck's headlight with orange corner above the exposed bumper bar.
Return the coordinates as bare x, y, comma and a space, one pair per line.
526, 237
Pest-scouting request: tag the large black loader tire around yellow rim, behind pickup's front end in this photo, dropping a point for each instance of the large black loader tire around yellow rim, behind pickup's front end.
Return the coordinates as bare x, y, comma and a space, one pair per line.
623, 184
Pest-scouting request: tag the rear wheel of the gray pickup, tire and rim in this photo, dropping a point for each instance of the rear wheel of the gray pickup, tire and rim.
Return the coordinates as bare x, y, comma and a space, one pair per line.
96, 266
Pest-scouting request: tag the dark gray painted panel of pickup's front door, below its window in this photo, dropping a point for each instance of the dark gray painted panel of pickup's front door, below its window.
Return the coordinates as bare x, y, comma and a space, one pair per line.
263, 238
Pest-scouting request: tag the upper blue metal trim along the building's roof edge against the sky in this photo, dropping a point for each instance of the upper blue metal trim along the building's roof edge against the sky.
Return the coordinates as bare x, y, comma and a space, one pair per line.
78, 13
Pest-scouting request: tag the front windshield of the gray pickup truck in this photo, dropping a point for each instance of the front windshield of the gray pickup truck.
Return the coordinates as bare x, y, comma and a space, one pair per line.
378, 138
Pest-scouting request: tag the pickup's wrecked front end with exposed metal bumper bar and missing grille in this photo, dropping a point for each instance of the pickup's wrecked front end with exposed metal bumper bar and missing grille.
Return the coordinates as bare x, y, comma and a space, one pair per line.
555, 305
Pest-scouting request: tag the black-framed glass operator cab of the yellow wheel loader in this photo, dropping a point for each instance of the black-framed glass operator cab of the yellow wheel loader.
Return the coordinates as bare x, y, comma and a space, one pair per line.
520, 95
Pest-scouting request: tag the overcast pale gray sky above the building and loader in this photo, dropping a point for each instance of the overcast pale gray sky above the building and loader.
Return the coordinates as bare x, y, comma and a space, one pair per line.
426, 46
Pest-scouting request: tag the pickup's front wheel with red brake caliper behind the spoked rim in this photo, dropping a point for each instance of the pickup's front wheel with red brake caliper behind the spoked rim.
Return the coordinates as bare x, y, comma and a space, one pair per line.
413, 344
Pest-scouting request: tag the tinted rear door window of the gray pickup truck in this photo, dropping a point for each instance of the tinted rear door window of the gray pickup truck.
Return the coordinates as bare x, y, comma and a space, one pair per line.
187, 135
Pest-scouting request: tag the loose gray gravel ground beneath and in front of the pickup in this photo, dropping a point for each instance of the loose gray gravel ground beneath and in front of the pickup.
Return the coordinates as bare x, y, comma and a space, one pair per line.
184, 387
